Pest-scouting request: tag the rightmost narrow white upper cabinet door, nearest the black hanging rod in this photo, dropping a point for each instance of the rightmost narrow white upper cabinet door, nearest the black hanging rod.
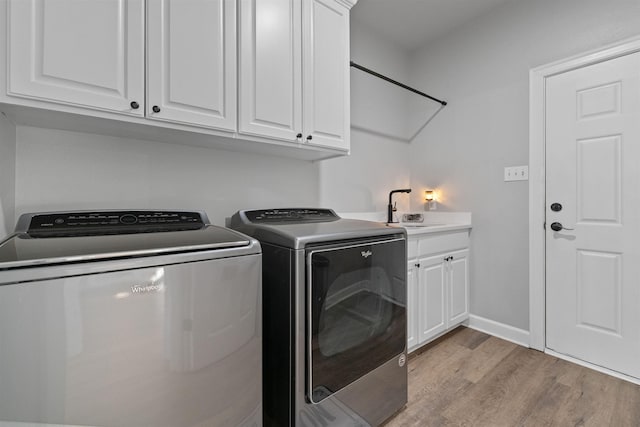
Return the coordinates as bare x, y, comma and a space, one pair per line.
326, 73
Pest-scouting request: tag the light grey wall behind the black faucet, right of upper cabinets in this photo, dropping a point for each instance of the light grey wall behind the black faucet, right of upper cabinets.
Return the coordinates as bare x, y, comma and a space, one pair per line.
379, 148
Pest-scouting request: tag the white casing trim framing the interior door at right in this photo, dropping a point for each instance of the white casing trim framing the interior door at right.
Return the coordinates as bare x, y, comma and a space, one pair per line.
537, 178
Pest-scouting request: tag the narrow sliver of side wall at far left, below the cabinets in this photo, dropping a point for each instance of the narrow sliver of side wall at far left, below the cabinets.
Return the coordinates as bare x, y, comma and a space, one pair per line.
7, 175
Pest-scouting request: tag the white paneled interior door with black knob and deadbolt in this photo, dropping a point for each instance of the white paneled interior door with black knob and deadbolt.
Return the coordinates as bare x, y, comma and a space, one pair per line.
593, 172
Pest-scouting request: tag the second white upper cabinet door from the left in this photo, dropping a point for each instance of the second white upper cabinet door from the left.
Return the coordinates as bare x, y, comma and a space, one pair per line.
191, 70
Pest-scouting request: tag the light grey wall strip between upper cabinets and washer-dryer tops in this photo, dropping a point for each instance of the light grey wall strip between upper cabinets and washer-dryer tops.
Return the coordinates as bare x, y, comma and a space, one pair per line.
61, 170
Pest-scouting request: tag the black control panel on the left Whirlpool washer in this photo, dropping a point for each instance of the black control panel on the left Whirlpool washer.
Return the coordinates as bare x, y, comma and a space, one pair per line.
83, 223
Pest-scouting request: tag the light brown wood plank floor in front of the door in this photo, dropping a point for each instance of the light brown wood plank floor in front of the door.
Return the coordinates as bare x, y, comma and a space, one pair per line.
469, 378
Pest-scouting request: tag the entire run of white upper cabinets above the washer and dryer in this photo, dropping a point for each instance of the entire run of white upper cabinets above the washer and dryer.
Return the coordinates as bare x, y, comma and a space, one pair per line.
274, 72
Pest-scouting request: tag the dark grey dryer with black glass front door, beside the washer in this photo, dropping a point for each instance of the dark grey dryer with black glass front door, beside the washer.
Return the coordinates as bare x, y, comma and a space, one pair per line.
334, 317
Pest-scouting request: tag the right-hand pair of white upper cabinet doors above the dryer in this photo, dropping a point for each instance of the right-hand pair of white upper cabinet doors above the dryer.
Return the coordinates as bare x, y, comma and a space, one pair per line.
294, 71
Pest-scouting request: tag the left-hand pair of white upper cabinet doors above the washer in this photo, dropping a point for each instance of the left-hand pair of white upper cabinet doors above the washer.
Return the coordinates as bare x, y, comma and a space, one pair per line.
92, 54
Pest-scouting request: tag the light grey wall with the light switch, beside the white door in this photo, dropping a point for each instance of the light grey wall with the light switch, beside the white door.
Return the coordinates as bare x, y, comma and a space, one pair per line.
483, 71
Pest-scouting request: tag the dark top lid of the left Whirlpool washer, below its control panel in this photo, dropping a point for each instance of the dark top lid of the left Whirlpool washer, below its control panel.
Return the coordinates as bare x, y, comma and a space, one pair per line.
23, 250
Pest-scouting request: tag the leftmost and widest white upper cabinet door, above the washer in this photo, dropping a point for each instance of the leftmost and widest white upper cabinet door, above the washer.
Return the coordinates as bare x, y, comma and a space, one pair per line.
79, 52
